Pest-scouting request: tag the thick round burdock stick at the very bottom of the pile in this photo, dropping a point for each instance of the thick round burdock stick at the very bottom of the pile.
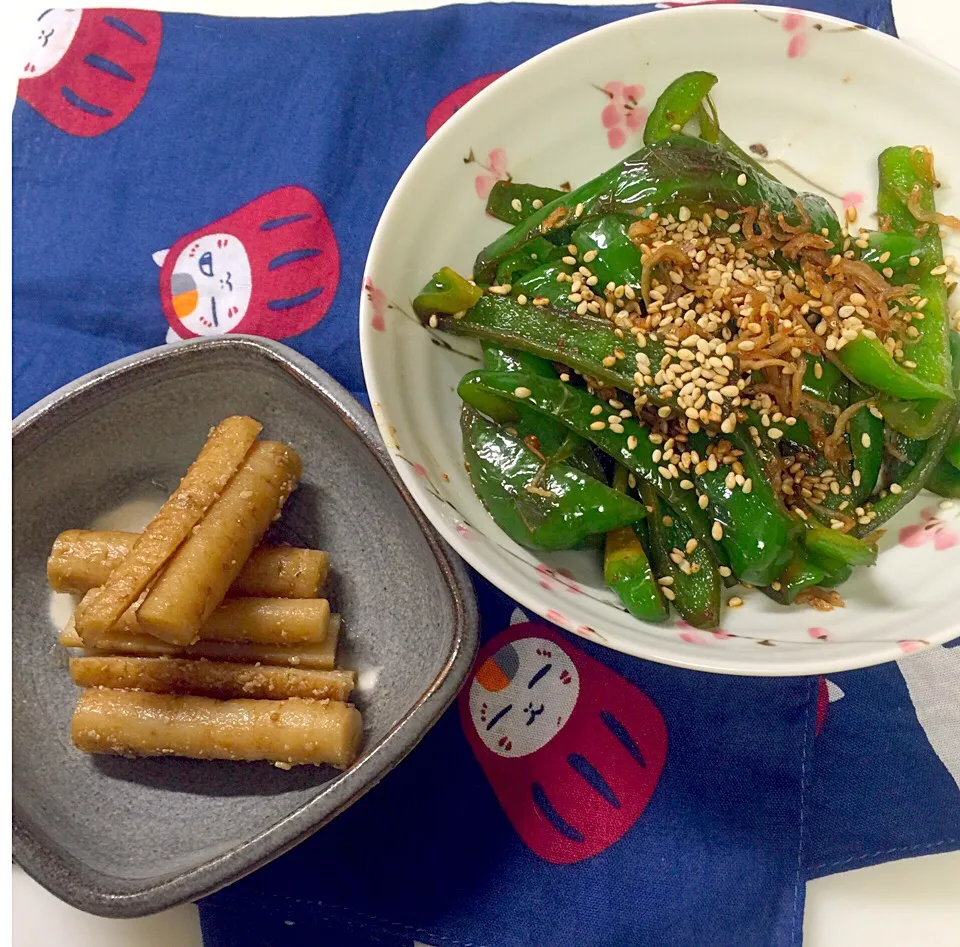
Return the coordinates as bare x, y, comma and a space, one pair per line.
290, 732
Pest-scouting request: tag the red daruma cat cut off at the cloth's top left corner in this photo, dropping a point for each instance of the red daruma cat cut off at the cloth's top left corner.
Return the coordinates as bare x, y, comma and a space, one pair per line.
85, 71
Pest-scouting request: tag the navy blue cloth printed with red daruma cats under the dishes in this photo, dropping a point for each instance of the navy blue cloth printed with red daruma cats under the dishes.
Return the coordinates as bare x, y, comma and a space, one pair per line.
673, 807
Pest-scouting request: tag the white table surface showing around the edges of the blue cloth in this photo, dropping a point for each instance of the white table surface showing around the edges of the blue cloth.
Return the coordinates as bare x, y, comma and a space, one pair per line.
911, 902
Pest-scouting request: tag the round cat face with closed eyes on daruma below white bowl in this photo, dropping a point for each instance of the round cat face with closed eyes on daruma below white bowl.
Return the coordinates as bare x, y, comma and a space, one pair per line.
521, 697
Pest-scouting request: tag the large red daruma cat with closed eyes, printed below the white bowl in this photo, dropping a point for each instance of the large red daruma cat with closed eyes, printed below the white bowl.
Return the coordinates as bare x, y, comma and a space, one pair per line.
572, 750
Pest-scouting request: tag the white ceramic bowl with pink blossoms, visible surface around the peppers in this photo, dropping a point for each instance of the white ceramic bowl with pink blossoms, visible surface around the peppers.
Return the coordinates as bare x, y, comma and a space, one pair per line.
824, 97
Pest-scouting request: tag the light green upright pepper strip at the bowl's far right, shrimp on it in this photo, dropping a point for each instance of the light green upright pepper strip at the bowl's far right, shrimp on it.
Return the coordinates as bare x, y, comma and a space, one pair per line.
905, 173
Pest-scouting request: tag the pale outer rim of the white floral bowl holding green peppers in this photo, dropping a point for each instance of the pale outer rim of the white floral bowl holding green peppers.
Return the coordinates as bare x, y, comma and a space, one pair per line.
840, 657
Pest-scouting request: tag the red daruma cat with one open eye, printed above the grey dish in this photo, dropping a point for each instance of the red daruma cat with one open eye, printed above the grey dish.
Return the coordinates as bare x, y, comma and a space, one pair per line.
270, 268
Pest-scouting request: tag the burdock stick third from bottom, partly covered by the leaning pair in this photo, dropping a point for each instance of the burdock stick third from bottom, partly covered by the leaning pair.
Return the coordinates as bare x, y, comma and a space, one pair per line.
320, 657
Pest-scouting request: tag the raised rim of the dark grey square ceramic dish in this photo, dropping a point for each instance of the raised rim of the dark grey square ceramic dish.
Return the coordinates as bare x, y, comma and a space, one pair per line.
334, 797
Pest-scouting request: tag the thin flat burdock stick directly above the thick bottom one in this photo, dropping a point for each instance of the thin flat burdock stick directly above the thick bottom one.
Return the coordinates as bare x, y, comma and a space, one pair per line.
220, 679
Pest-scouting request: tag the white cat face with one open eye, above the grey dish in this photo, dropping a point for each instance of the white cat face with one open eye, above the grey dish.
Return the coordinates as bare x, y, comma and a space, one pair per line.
210, 285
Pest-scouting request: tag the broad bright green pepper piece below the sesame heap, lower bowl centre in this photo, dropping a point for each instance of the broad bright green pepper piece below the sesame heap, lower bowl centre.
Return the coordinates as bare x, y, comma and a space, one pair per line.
759, 535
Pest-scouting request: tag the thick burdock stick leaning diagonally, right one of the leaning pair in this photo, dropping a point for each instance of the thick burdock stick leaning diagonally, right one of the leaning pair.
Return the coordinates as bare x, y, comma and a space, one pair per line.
198, 575
